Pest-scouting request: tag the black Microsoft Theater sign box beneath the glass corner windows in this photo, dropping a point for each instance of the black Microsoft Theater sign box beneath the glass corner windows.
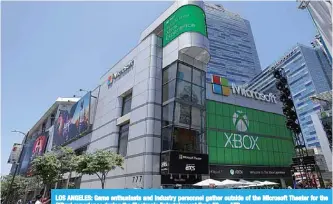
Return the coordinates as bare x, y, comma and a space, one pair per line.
174, 162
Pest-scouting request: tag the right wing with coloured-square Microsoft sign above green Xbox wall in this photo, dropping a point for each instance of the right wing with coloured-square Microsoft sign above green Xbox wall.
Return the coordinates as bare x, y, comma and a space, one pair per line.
246, 134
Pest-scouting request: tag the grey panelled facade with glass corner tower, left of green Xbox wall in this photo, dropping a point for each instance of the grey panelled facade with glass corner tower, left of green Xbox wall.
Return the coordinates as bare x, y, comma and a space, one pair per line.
150, 98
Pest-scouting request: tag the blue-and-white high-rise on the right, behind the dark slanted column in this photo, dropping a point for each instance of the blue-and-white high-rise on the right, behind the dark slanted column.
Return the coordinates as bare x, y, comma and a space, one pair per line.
308, 73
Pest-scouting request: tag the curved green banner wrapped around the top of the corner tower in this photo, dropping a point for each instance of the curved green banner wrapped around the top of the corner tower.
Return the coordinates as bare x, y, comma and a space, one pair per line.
189, 18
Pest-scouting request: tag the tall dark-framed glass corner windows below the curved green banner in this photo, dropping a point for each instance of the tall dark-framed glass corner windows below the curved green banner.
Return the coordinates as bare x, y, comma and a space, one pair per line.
183, 109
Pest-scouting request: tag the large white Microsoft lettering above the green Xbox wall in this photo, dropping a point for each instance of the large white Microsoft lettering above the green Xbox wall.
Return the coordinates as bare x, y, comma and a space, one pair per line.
253, 94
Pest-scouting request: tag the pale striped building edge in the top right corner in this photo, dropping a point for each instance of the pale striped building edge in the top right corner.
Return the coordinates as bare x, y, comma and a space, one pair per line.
321, 14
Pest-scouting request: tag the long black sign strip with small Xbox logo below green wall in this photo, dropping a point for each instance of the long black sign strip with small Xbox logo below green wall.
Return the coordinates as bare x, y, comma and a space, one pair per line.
248, 172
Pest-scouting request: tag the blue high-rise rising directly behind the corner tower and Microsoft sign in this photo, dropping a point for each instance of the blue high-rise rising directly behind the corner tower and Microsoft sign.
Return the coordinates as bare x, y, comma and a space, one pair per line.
232, 47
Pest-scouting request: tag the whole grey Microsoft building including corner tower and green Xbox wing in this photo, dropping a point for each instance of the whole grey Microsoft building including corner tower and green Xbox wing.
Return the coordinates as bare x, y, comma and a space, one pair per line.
155, 108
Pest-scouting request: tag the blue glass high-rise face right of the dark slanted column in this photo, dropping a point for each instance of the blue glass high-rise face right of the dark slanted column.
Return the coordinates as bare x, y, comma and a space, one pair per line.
307, 75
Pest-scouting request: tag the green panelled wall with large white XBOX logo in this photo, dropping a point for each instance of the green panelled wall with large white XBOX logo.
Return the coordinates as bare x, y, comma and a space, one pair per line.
243, 136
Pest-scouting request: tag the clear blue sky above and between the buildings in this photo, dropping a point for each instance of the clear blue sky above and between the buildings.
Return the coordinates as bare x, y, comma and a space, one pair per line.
53, 49
